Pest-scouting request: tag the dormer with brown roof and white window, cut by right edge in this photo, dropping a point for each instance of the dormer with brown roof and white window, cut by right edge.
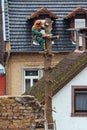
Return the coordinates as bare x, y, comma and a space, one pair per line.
78, 20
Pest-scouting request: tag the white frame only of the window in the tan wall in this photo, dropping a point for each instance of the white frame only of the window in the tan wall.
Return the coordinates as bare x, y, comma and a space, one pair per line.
40, 75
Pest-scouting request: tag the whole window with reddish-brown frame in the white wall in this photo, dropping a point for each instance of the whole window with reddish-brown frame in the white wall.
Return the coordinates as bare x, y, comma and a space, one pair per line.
79, 101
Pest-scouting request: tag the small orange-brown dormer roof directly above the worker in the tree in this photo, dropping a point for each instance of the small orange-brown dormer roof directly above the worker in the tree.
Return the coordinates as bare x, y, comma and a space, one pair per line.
42, 11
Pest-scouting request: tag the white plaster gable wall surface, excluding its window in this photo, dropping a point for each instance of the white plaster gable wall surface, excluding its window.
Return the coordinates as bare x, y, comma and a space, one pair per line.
62, 106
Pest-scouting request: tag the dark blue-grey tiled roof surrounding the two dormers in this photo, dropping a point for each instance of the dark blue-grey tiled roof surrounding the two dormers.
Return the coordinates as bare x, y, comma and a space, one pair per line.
18, 26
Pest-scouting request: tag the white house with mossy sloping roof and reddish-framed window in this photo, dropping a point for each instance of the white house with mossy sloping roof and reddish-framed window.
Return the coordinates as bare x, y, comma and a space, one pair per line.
69, 90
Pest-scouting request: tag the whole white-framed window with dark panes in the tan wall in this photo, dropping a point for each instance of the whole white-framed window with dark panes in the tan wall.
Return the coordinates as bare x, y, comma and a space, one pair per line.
31, 76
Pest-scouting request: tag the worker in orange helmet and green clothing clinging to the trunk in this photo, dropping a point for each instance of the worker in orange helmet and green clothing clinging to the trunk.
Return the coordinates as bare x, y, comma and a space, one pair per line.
39, 37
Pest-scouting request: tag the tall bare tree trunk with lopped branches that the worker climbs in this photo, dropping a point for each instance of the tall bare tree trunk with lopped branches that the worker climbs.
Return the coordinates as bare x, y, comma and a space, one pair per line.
47, 67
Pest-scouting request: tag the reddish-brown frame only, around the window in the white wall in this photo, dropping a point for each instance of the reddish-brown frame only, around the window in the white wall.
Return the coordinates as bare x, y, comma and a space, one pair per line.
73, 113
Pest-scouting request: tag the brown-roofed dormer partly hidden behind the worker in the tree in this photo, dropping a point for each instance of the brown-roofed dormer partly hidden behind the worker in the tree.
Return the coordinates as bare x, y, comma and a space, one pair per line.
41, 14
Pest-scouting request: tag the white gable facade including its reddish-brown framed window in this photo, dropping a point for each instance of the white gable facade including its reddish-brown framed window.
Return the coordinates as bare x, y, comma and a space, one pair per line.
70, 104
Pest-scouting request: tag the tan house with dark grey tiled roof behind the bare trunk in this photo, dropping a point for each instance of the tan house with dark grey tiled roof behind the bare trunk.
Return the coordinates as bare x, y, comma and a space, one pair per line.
23, 59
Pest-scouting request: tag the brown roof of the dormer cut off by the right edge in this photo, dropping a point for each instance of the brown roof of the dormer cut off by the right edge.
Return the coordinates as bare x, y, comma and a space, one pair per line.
75, 11
